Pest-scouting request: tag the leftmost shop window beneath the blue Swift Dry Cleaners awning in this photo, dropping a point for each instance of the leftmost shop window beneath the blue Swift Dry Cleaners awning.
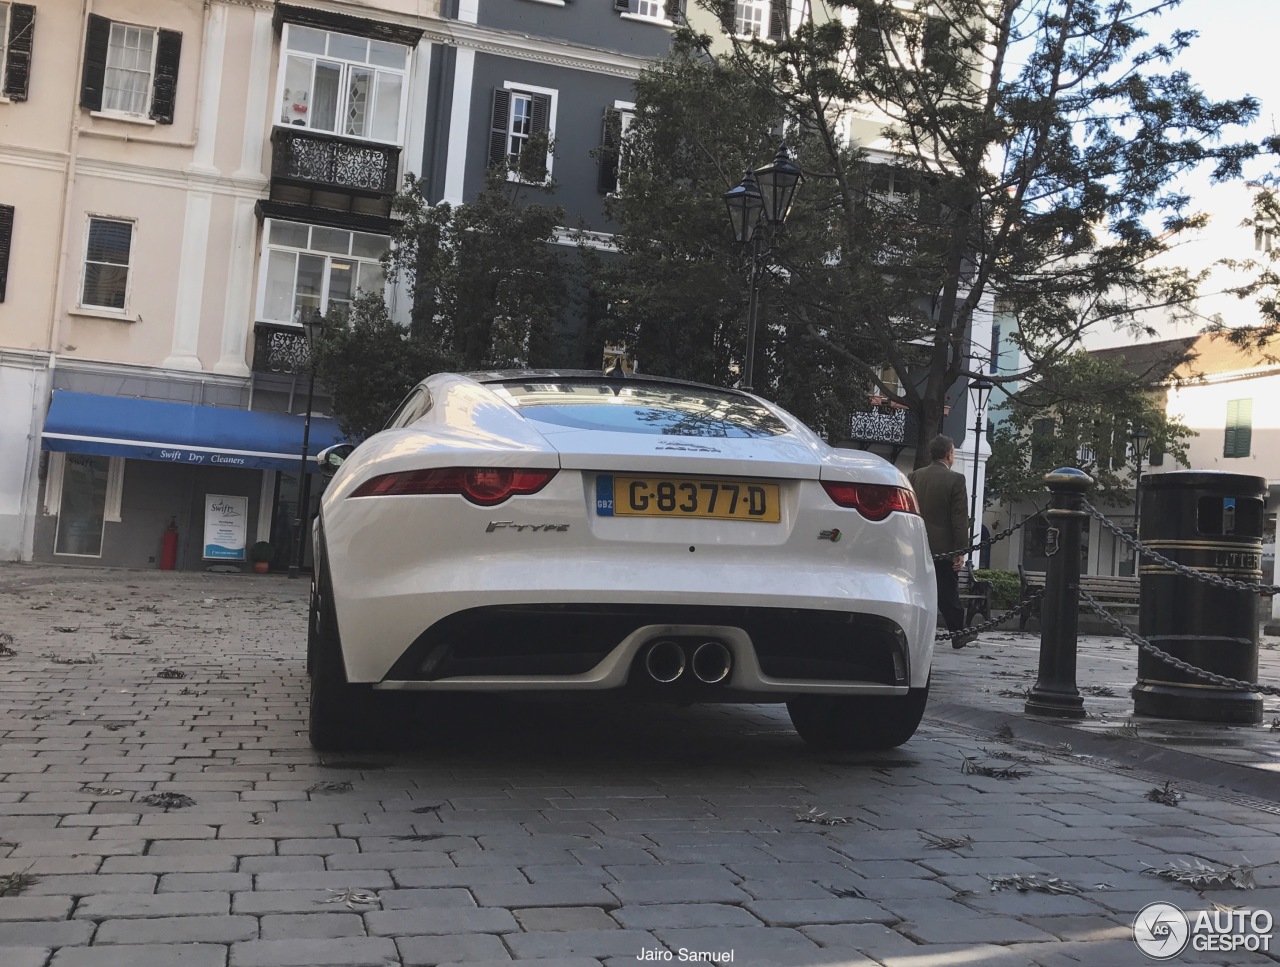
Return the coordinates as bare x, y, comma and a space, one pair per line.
85, 491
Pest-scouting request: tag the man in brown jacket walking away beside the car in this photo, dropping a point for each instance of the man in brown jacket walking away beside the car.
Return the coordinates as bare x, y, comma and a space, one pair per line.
941, 494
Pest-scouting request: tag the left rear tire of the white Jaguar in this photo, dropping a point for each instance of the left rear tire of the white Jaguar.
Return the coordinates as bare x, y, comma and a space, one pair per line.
340, 710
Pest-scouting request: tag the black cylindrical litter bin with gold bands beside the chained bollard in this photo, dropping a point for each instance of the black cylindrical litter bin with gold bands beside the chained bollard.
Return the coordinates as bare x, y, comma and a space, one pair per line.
1212, 522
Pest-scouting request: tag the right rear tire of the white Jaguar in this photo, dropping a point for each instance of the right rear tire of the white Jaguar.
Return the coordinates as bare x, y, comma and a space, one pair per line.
858, 723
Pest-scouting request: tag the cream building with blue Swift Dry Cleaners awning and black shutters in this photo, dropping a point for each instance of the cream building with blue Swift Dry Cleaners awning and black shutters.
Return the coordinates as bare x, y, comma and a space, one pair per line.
182, 184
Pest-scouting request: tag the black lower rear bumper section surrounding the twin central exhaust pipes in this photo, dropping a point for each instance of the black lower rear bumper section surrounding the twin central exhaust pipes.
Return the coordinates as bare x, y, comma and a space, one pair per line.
767, 653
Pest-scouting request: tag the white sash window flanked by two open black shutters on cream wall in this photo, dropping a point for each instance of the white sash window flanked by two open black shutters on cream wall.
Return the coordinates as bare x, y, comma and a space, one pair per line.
131, 71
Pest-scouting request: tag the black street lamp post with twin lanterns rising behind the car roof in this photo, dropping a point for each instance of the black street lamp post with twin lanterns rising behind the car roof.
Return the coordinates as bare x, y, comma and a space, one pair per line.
757, 208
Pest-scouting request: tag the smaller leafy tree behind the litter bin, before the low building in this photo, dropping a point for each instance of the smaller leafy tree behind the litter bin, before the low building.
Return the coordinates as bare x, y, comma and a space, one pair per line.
1084, 417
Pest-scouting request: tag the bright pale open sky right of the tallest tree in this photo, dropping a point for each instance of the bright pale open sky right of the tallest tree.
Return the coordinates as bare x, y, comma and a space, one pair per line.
1235, 56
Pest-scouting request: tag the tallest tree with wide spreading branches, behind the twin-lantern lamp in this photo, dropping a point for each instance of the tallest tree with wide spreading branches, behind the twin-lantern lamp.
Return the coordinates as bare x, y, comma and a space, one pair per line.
1026, 150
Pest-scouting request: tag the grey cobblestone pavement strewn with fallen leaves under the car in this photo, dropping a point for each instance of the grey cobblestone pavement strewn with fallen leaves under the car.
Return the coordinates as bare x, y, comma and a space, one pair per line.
563, 834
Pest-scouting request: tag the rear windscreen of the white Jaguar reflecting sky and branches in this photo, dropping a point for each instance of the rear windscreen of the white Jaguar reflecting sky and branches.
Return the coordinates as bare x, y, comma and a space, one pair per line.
642, 408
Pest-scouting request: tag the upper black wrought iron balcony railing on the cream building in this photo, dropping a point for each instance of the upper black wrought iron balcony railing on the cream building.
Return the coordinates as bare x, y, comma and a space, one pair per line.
314, 161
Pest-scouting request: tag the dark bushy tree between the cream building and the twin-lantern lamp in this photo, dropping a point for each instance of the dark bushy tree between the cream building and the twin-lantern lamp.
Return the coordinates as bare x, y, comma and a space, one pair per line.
487, 290
